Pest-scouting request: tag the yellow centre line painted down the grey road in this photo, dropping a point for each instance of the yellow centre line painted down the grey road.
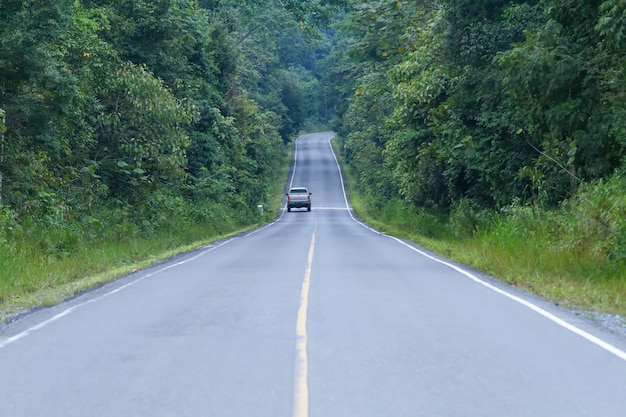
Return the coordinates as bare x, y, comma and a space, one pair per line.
301, 374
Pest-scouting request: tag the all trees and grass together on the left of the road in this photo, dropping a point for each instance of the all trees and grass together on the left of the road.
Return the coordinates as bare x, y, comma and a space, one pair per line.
135, 126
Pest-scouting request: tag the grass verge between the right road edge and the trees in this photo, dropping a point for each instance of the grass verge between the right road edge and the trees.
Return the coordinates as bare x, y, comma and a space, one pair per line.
573, 255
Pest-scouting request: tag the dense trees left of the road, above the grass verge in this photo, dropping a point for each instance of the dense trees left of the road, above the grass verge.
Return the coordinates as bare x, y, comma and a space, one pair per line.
125, 102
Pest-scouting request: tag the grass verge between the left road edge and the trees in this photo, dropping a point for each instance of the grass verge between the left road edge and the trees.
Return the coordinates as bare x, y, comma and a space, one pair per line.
42, 266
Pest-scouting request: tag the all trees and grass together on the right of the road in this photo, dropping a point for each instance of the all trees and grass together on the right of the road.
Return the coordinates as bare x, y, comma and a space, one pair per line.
496, 125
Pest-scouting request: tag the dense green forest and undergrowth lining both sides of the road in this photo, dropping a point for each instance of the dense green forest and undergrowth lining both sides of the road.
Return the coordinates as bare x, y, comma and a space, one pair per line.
151, 120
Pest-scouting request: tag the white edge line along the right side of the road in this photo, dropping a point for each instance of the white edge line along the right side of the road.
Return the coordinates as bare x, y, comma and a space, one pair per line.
557, 320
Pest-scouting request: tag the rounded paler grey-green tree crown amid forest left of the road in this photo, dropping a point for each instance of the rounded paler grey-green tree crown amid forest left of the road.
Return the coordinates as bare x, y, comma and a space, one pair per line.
141, 140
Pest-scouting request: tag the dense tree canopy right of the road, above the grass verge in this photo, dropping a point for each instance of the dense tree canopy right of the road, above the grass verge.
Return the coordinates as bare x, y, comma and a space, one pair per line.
489, 101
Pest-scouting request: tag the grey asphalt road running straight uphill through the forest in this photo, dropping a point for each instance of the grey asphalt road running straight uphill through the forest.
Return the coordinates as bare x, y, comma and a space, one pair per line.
313, 315
